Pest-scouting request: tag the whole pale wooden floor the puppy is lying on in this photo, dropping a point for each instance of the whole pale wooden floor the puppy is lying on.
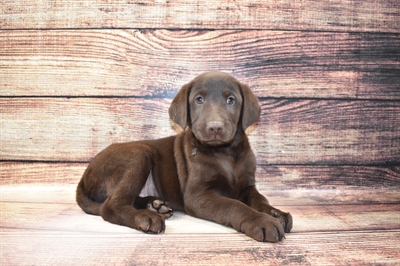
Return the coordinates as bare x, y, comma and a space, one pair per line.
42, 225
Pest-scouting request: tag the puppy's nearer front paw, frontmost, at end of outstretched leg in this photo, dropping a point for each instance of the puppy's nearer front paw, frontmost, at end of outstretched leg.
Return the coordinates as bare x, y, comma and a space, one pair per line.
264, 228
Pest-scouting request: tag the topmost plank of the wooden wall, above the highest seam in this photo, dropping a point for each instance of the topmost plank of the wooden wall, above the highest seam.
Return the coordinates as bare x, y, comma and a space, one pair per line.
368, 15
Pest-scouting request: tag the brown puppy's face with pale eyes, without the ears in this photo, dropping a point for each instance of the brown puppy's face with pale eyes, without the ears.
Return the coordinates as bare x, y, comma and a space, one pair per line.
215, 103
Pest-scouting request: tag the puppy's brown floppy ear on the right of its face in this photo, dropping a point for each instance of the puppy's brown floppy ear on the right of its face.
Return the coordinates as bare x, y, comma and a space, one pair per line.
251, 109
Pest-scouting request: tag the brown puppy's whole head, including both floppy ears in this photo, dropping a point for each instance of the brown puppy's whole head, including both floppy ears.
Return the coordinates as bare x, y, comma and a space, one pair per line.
214, 106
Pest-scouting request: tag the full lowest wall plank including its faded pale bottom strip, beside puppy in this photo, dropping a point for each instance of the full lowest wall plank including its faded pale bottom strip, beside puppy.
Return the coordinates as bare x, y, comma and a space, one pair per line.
282, 185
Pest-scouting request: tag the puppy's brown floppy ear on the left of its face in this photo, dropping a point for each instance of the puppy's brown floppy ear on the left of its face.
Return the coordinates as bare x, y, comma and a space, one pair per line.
179, 109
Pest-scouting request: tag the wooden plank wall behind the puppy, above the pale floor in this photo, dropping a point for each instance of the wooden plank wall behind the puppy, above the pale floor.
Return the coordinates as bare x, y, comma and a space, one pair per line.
75, 77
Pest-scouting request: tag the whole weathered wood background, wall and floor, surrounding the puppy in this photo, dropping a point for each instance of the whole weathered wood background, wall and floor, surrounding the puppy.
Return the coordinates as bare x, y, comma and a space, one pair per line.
77, 76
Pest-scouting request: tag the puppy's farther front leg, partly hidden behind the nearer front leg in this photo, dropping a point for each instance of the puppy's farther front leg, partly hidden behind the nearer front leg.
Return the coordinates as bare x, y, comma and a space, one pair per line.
257, 201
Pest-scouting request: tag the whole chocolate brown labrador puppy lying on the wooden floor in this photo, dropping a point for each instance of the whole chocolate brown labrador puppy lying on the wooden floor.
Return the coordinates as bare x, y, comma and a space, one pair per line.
206, 171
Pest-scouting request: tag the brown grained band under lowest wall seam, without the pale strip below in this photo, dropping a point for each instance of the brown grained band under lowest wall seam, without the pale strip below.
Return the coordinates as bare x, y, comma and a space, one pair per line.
269, 177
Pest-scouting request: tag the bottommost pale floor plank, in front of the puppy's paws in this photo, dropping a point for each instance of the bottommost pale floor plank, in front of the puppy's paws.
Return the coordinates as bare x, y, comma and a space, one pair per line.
40, 247
